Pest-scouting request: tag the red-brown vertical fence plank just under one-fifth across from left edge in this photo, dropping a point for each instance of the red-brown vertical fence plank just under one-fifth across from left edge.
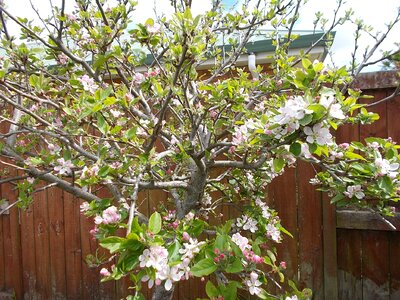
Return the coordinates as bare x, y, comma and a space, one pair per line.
73, 251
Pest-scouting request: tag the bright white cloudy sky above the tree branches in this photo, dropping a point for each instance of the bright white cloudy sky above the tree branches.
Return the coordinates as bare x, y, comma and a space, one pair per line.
375, 13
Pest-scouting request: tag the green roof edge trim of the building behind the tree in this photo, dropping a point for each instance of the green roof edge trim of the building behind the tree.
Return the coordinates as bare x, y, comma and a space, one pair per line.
302, 42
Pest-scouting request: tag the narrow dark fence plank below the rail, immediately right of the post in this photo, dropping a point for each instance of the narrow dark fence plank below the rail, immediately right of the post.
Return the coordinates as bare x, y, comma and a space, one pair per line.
349, 249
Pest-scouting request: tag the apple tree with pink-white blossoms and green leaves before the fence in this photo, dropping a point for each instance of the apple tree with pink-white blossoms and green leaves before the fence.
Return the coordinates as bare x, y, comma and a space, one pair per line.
85, 110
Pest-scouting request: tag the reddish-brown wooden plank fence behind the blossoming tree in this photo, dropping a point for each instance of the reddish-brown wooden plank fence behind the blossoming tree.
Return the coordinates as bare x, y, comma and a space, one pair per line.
339, 255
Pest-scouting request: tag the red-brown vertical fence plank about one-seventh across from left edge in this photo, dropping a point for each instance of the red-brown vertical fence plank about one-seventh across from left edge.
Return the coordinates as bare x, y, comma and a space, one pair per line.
57, 243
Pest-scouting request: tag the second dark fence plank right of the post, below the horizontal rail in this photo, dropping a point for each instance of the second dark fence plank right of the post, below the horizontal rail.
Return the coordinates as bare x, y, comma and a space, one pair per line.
375, 265
